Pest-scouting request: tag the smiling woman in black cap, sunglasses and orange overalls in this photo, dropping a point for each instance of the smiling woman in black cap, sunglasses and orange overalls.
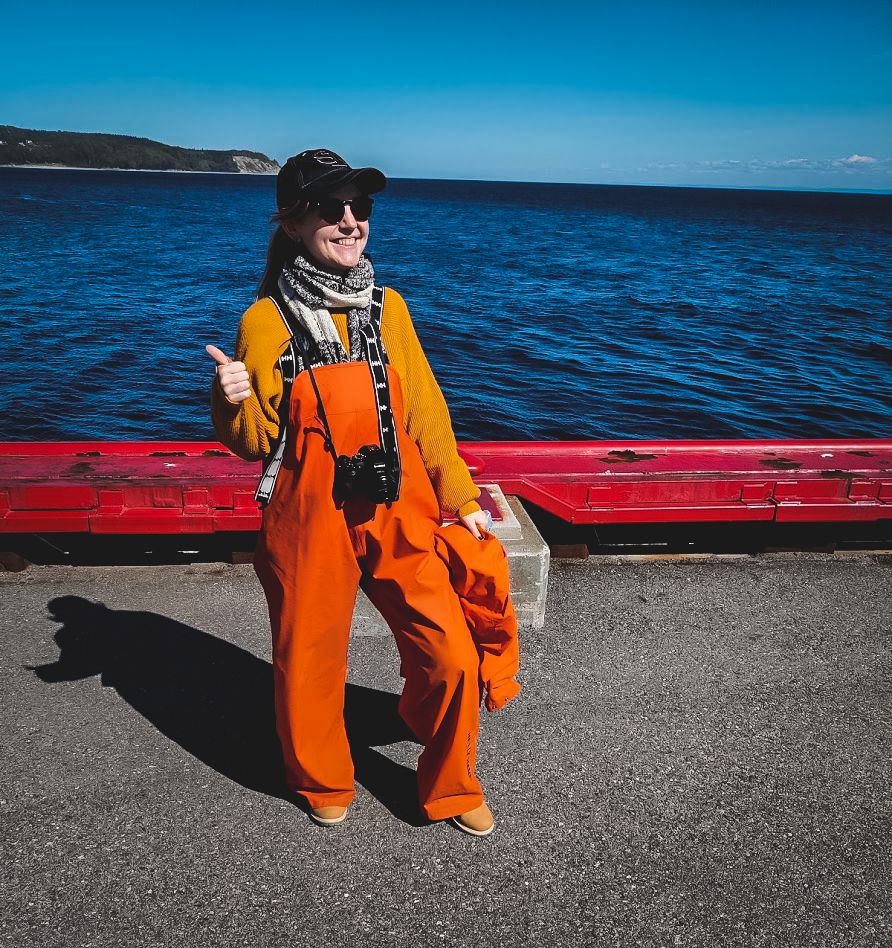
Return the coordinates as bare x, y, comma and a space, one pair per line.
329, 525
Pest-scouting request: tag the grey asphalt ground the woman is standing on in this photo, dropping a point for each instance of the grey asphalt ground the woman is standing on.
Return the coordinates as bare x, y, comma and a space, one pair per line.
700, 756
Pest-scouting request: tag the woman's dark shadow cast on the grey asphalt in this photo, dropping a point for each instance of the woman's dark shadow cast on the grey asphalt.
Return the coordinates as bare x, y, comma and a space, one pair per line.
215, 699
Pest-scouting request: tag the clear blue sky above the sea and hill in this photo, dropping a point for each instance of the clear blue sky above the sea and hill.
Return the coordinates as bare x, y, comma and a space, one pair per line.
762, 94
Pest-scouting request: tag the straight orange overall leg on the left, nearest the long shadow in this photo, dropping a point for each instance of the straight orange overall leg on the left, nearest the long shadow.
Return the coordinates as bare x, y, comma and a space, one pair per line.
311, 606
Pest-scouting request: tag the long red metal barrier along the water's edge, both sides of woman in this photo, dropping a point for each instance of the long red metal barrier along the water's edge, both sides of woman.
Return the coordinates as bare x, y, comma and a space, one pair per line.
200, 487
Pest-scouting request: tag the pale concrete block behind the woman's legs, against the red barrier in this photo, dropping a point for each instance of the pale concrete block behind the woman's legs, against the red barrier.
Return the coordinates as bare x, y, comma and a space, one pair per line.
528, 562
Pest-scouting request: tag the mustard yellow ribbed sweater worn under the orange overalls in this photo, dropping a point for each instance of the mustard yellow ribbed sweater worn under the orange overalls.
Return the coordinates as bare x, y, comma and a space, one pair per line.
250, 427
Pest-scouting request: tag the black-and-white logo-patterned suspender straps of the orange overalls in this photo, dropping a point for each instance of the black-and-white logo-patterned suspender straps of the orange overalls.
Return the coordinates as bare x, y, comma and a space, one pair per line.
376, 359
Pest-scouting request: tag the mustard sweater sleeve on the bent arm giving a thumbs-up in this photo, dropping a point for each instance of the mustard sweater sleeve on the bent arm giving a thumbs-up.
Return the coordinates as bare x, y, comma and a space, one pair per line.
250, 427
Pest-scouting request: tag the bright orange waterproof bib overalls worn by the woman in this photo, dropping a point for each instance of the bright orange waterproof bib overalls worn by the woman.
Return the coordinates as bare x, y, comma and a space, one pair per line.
312, 553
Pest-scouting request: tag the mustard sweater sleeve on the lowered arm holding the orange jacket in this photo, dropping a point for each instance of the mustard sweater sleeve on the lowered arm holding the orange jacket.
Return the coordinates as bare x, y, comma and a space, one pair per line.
427, 417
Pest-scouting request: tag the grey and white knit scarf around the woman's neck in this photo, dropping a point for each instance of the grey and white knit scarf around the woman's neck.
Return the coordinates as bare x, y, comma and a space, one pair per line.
311, 292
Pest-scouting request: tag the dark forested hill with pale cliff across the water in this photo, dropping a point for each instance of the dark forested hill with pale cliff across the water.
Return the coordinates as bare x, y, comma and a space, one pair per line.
25, 146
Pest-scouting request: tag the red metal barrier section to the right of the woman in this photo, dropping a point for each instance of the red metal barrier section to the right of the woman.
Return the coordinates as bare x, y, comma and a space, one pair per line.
691, 481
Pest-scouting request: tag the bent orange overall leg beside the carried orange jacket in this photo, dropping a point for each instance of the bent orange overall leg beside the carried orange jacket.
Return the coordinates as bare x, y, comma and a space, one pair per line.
409, 585
